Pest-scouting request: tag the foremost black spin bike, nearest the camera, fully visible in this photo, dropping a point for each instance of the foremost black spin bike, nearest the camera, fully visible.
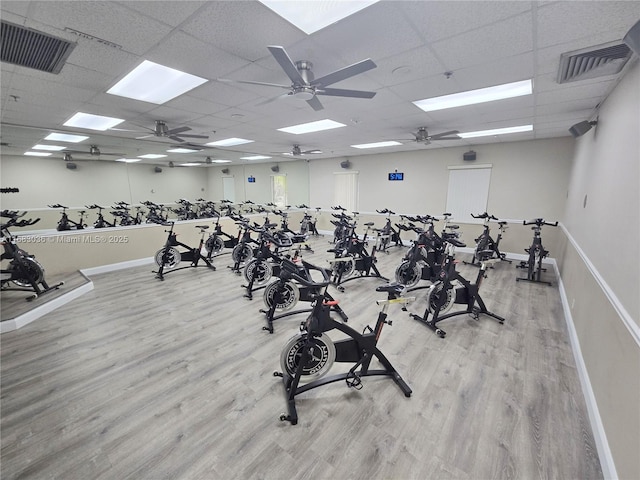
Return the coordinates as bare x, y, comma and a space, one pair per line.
311, 354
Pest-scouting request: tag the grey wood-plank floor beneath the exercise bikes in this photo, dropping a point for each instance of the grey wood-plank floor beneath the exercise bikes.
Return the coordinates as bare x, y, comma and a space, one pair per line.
142, 379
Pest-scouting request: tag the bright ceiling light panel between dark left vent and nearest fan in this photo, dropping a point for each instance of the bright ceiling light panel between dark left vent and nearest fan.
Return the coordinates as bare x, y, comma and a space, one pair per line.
154, 83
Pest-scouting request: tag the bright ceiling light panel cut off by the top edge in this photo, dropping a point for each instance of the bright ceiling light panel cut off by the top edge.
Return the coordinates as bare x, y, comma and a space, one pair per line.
321, 13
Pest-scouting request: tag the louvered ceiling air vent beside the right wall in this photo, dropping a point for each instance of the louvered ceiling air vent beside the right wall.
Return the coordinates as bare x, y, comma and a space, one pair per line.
593, 62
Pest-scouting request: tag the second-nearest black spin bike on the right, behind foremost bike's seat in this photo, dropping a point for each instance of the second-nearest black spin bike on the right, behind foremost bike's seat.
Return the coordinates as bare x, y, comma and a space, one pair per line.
466, 293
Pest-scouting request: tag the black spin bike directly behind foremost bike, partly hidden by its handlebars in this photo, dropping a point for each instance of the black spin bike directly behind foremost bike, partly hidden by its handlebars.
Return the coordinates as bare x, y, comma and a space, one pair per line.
289, 288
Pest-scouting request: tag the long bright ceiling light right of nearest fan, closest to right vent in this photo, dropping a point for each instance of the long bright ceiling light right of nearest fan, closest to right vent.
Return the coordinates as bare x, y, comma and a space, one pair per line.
472, 97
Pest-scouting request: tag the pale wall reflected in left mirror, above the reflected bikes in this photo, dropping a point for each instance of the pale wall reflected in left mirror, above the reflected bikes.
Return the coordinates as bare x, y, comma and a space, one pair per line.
45, 182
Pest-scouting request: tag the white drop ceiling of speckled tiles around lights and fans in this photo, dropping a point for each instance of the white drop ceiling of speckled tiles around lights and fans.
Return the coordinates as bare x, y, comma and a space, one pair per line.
421, 48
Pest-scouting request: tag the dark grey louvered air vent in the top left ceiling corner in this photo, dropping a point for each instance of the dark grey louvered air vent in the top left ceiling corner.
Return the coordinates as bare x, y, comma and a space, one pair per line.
32, 49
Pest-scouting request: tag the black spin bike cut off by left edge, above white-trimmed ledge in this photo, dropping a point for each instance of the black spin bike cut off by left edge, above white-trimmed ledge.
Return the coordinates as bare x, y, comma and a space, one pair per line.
23, 269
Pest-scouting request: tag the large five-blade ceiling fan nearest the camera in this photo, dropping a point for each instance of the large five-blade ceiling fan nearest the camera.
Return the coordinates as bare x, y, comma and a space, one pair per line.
306, 87
